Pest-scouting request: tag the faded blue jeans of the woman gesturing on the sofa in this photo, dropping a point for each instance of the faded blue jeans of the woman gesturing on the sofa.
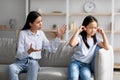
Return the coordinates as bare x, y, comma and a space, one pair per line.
28, 65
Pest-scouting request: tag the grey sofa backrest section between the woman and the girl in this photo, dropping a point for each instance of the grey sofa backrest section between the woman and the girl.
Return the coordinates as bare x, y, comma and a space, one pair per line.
59, 59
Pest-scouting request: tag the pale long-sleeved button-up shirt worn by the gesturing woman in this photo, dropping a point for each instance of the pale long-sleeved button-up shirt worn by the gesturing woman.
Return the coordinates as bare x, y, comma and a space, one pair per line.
38, 41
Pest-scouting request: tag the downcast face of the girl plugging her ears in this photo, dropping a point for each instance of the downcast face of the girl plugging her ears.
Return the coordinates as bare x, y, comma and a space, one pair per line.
91, 29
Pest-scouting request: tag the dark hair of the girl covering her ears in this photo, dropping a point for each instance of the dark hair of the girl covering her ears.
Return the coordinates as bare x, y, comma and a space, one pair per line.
86, 21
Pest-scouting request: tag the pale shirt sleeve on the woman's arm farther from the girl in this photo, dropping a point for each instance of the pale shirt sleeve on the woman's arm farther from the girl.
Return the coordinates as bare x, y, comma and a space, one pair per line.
20, 49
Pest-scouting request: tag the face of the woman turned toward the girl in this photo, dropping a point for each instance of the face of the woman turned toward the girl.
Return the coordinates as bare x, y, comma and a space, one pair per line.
37, 24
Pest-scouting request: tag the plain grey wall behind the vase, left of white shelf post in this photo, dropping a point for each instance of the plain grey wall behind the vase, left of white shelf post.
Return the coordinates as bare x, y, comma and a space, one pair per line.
12, 9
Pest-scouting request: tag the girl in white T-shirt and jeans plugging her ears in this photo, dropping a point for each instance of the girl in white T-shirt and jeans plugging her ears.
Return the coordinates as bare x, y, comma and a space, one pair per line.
84, 40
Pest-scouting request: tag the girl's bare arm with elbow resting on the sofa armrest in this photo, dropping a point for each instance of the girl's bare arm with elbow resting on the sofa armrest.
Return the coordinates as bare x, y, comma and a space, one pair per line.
105, 43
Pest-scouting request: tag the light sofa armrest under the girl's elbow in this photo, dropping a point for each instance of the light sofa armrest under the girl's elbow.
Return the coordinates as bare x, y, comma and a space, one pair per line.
104, 64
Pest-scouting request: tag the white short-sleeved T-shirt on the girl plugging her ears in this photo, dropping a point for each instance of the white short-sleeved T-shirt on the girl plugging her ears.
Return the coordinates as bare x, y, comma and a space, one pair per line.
82, 53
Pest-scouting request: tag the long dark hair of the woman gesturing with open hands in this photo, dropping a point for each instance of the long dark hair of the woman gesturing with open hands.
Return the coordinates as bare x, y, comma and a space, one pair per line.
30, 19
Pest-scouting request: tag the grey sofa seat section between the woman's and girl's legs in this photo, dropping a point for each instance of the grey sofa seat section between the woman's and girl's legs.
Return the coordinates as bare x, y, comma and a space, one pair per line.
53, 73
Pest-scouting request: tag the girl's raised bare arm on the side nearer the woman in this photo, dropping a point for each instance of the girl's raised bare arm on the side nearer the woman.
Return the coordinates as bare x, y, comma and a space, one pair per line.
74, 40
